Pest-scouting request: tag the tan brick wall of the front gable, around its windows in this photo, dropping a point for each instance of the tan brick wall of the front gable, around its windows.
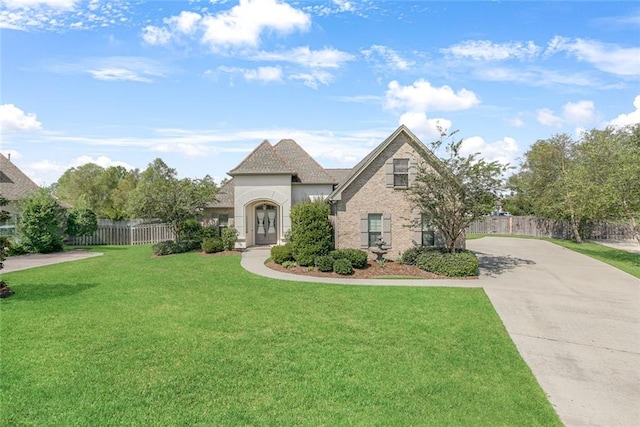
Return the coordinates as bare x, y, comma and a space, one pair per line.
369, 194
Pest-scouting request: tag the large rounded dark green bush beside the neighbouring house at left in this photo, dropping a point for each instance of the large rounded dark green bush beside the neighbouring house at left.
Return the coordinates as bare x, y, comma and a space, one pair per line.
41, 227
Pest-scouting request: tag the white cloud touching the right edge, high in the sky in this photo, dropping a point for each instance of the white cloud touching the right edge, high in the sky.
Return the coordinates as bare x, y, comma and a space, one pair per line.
610, 58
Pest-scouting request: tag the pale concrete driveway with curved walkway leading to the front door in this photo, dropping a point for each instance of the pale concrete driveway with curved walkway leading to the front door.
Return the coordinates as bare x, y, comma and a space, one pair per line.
574, 320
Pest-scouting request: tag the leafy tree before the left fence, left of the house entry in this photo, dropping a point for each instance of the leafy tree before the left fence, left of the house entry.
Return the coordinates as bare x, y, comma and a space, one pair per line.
161, 195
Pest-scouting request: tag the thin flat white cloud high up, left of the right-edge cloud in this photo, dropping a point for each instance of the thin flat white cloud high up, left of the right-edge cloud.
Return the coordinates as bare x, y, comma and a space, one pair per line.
488, 51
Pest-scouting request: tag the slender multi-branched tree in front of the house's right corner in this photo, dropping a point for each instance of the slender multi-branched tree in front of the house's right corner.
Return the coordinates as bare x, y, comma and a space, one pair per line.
457, 190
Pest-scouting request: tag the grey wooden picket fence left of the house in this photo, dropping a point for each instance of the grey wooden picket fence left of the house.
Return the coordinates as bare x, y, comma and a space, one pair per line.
125, 233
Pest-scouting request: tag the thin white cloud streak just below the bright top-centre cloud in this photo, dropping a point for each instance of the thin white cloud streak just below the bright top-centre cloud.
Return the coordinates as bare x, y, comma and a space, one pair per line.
323, 58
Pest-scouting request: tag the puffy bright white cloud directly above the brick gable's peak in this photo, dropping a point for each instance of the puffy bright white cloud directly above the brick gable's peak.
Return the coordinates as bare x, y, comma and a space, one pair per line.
421, 96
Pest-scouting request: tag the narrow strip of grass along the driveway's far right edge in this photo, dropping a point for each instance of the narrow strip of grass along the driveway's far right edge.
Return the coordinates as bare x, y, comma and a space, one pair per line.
620, 259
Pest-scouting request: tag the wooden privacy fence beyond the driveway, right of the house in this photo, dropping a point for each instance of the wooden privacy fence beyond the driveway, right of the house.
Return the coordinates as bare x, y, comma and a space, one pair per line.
538, 227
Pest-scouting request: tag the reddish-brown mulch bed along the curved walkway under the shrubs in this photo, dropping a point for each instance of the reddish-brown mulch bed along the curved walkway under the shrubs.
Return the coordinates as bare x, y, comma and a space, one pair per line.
373, 270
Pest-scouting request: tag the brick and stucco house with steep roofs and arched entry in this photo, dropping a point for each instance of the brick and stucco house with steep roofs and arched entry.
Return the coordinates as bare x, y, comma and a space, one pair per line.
367, 202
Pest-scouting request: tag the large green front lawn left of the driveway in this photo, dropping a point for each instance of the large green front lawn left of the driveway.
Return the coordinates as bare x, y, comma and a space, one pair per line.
127, 339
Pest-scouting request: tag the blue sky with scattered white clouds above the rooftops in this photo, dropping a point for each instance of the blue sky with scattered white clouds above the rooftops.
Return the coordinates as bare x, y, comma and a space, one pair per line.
200, 84
